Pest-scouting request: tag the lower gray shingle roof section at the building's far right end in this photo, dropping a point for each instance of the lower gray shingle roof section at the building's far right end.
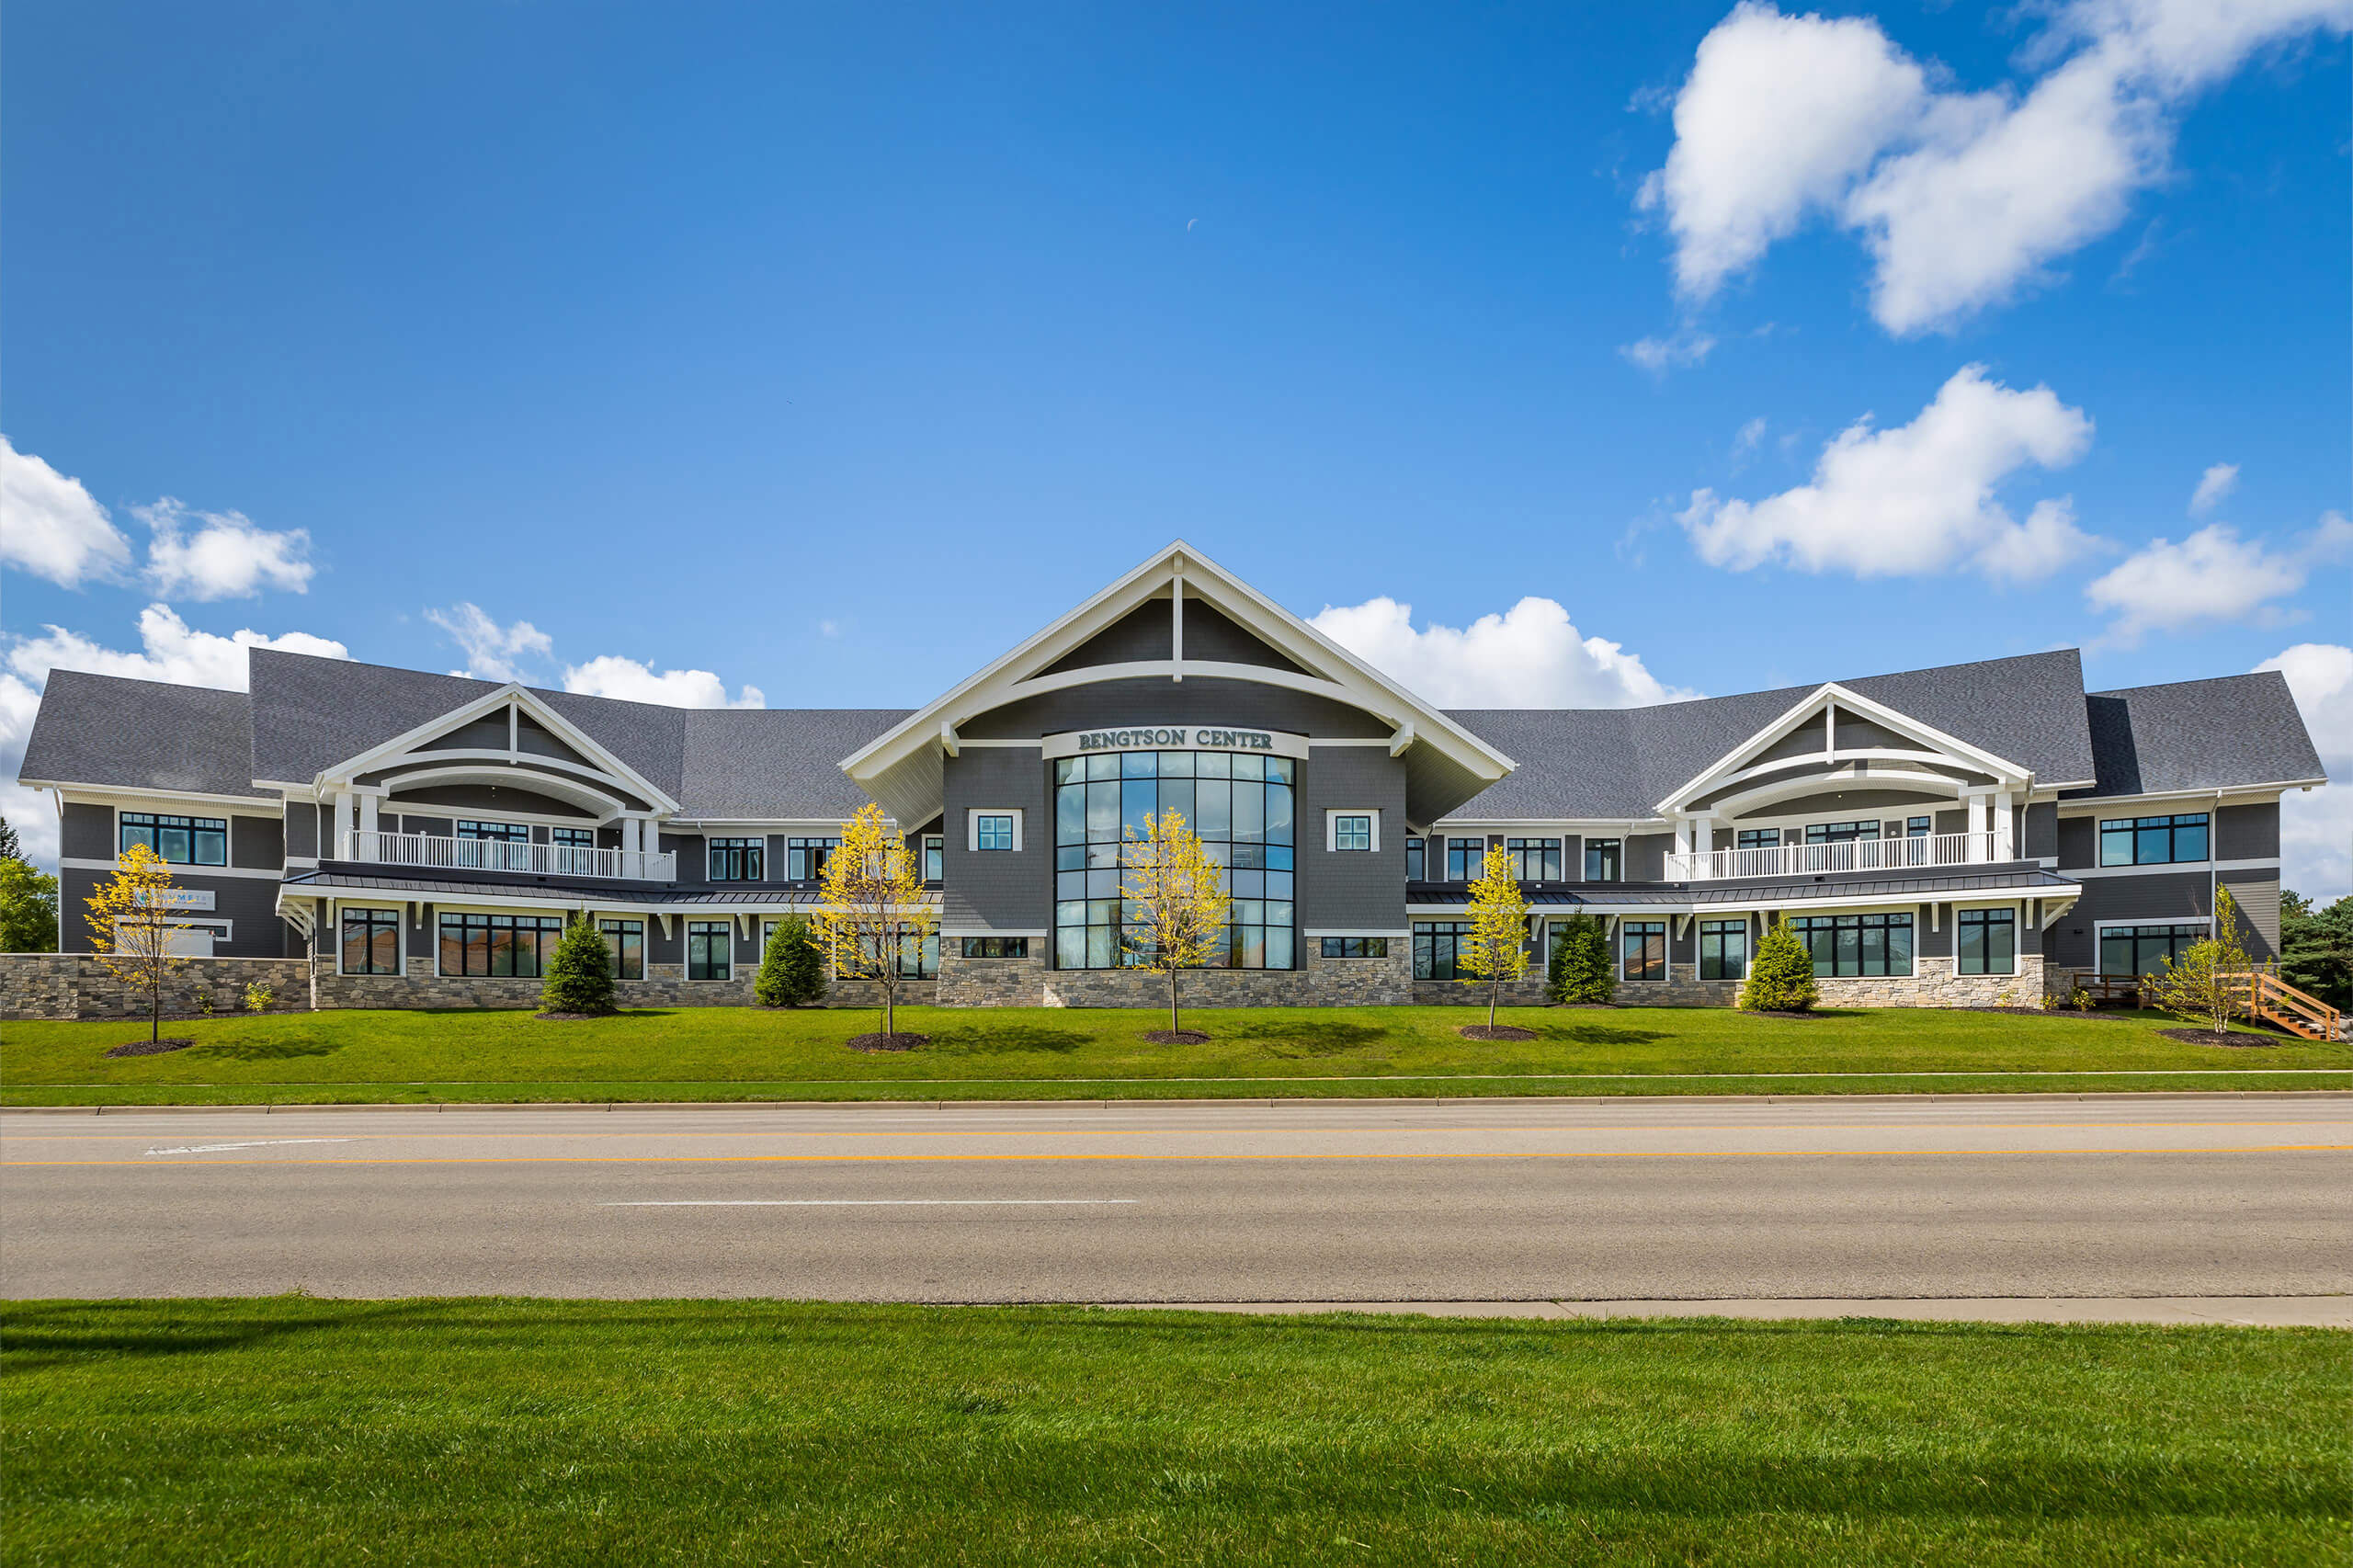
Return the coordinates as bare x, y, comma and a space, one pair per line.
2199, 736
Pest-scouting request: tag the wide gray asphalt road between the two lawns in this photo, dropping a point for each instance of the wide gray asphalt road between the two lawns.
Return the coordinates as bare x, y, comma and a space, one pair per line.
1239, 1202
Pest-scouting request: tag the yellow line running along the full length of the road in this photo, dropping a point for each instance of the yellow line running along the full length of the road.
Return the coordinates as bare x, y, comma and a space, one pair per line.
952, 1160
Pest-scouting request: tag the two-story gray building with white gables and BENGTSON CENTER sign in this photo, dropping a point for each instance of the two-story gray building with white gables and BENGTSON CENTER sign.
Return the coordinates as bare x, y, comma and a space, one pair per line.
1935, 837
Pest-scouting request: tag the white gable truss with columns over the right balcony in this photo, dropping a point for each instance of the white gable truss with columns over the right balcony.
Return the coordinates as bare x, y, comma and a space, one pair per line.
1832, 743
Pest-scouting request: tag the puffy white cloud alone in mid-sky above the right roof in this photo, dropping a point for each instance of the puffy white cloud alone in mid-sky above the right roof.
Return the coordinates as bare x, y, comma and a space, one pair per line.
1919, 498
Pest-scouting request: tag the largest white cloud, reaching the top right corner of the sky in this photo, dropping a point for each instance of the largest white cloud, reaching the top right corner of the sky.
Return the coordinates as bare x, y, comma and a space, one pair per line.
1959, 197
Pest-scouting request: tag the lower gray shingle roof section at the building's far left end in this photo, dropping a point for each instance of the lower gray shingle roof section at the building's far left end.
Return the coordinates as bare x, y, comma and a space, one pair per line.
142, 736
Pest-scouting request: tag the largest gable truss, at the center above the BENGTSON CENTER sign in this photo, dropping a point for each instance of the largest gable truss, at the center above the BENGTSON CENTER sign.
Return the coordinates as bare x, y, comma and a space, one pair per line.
1446, 764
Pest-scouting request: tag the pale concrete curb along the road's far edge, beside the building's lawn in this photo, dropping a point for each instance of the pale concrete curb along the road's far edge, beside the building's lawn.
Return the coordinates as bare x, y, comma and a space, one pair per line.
1152, 1103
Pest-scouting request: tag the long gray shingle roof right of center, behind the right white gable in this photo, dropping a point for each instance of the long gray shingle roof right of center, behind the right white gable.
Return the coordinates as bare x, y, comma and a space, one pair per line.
1625, 762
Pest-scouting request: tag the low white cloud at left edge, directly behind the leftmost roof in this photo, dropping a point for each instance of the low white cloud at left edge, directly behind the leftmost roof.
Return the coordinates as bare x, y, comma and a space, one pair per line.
168, 651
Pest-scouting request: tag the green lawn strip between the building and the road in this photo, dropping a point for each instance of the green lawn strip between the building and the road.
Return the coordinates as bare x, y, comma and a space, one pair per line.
1027, 1054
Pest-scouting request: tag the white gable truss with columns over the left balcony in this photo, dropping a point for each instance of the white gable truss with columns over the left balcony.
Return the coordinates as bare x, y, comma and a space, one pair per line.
509, 740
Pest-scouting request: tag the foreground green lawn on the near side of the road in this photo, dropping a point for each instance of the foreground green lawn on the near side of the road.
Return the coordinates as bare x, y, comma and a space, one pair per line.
756, 1433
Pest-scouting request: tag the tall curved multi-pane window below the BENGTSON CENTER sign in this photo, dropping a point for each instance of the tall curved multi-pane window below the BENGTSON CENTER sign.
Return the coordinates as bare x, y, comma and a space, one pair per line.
1241, 804
